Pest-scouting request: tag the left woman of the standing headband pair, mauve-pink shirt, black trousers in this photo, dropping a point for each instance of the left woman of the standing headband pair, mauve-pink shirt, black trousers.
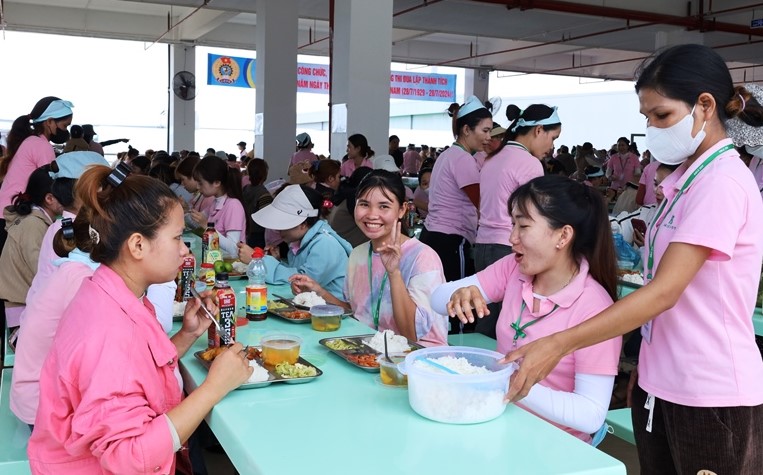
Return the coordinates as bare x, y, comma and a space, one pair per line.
454, 190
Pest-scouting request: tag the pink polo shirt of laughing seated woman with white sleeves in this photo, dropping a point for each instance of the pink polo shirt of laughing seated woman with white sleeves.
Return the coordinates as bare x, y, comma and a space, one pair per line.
580, 300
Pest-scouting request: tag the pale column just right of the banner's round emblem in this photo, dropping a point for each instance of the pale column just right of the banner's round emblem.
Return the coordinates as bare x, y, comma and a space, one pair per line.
276, 80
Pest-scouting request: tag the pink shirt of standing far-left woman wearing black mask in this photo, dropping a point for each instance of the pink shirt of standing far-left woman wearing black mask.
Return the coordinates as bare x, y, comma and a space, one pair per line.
34, 152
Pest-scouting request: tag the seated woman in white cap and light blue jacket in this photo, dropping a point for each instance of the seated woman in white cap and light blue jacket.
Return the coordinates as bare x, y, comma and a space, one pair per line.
314, 248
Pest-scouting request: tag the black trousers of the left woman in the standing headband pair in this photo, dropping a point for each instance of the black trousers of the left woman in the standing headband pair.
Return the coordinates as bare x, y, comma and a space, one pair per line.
457, 263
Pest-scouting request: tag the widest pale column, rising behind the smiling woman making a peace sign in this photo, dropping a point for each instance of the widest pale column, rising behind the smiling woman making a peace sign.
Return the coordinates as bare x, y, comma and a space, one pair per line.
360, 71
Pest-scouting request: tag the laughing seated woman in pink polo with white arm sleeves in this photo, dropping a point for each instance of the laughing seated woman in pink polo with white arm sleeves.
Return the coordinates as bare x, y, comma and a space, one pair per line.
562, 272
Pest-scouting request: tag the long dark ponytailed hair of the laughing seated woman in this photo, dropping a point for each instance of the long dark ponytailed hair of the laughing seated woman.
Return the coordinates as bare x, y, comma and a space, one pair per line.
562, 201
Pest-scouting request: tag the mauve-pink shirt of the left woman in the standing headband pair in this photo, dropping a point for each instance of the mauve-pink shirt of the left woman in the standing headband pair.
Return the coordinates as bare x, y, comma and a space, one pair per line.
450, 209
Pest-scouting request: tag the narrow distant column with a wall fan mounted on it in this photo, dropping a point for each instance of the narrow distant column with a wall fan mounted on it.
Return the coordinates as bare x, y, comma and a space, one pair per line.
182, 121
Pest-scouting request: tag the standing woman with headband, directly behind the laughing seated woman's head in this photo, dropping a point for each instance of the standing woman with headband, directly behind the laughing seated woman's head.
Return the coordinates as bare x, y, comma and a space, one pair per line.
516, 161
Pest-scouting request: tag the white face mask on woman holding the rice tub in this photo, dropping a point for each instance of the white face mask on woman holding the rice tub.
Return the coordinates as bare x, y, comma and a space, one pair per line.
673, 145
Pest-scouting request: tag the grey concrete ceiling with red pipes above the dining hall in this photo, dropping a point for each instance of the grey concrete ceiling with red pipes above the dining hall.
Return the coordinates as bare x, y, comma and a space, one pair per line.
595, 38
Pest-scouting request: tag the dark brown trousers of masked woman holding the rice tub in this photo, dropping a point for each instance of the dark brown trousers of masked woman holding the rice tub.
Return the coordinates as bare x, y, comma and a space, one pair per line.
685, 440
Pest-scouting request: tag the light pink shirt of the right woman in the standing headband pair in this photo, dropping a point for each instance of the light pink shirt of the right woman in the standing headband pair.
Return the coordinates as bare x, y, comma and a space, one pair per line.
503, 173
